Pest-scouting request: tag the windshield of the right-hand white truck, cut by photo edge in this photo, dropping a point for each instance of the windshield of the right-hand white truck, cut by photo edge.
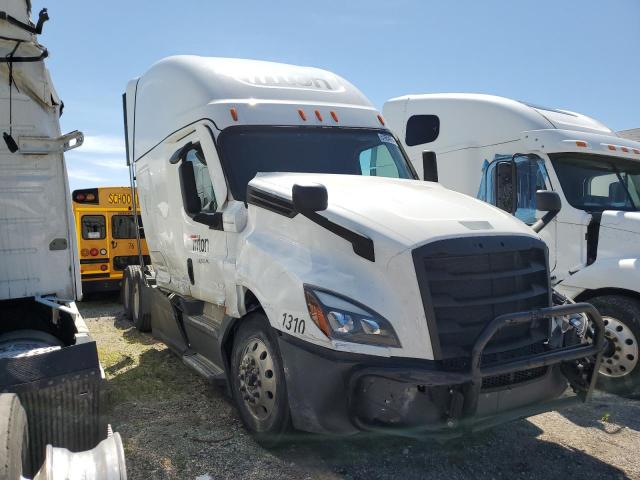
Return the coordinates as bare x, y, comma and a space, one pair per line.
598, 182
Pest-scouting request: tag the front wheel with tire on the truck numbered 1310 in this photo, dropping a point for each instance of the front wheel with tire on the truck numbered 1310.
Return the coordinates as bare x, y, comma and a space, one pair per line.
258, 383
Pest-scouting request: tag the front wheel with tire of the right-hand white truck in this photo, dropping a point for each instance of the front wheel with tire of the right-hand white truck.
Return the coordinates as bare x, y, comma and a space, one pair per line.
620, 367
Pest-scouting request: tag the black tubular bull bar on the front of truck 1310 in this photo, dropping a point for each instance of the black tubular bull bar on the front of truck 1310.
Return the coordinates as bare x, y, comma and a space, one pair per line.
472, 380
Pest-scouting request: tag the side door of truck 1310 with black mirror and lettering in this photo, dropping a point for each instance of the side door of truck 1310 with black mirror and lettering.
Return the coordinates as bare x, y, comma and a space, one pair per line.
203, 194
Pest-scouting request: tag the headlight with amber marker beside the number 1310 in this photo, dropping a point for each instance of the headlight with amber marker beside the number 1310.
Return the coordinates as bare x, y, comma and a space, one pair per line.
343, 319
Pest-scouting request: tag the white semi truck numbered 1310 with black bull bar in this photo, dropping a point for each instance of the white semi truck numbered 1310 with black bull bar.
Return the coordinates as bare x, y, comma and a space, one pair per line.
297, 259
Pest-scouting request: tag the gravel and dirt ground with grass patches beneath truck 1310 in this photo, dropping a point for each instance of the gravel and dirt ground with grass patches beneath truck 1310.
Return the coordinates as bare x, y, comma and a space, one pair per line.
176, 426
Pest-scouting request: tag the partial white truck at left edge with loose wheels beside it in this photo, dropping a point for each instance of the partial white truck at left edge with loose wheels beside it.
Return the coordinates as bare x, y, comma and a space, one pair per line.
50, 377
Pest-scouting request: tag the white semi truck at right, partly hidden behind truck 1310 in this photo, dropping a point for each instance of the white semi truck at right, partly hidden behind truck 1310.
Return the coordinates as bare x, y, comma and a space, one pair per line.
503, 151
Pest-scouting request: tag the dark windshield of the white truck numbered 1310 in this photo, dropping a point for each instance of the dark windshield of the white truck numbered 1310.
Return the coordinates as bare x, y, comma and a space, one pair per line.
245, 151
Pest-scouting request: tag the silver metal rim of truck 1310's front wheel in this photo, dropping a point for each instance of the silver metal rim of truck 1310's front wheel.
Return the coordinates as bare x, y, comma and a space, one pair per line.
257, 379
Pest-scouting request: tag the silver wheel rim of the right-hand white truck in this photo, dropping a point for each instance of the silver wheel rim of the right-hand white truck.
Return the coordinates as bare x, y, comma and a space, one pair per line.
621, 355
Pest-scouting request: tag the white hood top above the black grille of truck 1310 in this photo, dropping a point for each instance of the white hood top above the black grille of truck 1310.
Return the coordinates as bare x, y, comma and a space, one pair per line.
409, 212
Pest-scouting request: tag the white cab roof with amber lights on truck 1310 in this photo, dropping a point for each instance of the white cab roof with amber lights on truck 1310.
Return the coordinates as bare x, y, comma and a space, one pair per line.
180, 90
